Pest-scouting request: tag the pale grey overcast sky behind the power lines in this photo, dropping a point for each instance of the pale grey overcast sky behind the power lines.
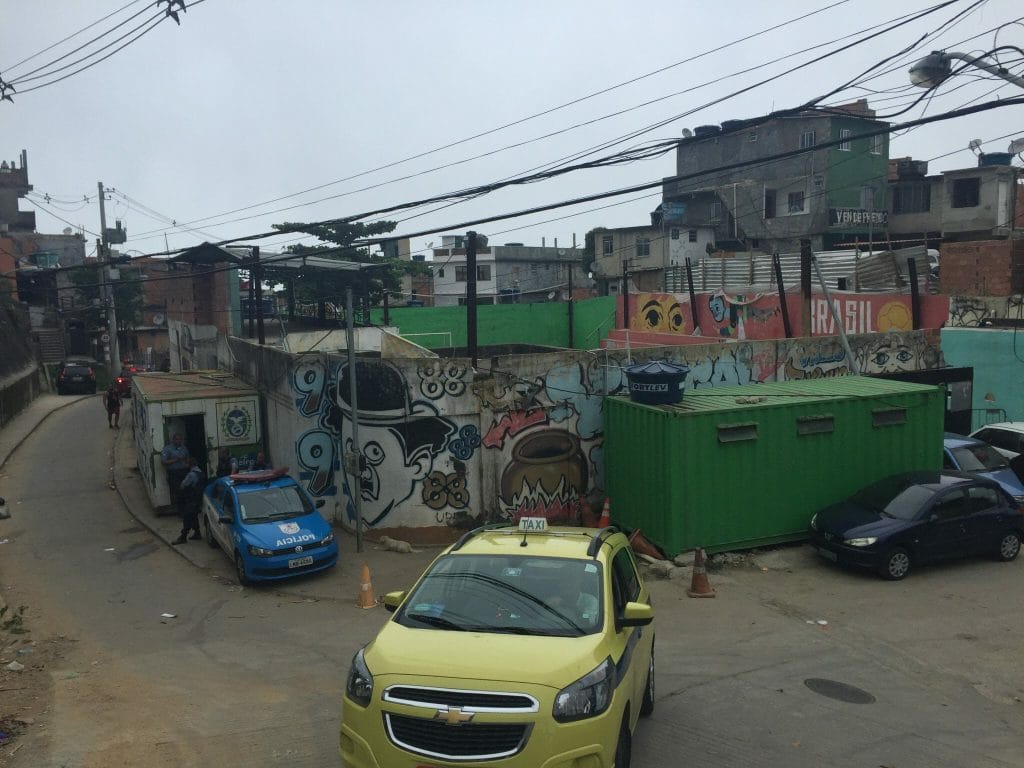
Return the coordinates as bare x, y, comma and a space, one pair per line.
311, 110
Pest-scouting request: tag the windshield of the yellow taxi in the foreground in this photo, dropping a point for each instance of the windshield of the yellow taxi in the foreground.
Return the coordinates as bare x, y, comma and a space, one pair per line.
524, 595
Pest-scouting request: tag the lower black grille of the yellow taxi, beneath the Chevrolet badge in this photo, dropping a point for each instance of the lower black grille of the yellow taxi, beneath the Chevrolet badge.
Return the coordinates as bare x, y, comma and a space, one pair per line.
436, 739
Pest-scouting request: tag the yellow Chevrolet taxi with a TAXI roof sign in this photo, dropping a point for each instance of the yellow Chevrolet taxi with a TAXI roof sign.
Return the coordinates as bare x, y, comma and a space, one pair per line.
526, 646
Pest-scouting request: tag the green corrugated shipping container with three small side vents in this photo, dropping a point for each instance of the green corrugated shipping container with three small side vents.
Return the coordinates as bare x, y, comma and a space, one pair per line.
732, 468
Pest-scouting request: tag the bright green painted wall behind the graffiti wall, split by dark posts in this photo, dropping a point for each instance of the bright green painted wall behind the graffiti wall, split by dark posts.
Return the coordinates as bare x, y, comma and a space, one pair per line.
545, 324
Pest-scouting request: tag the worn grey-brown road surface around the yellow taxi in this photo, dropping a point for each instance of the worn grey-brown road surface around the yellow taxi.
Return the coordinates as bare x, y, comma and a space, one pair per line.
928, 672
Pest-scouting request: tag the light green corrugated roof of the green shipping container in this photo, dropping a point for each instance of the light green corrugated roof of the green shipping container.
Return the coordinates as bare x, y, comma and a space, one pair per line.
789, 393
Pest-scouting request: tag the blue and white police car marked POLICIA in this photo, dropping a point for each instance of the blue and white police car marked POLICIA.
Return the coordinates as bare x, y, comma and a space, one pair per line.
268, 526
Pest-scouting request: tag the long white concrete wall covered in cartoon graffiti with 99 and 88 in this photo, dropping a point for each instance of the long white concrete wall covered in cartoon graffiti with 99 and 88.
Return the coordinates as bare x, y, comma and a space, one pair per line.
447, 448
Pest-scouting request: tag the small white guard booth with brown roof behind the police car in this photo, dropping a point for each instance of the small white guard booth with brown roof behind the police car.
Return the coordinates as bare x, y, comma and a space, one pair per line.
209, 409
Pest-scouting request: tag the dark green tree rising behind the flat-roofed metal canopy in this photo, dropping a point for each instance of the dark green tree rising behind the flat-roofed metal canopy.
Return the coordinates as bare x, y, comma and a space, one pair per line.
338, 241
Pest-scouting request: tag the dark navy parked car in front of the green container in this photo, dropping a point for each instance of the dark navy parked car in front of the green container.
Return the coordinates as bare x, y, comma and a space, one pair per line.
912, 519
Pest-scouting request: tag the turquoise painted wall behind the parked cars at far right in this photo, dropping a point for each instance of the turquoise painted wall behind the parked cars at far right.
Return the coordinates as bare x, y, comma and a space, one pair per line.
998, 359
